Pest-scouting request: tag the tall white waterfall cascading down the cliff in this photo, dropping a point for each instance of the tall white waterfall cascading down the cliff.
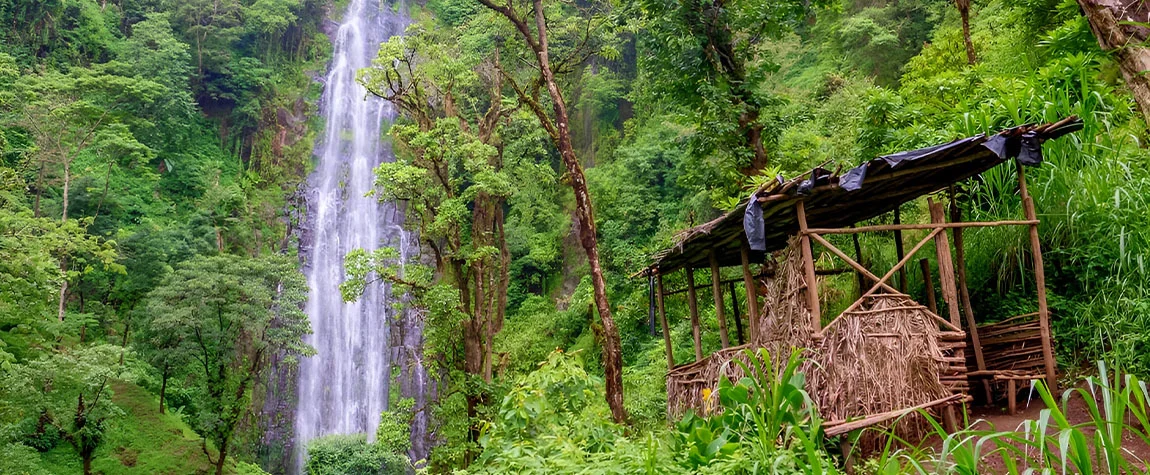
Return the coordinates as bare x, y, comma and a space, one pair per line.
346, 387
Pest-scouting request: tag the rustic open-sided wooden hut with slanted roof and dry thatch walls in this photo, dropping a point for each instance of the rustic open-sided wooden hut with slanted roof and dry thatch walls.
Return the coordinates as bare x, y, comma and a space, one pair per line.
887, 355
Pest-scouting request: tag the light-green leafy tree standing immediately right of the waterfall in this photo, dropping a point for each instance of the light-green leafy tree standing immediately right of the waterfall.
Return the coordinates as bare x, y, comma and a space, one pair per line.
450, 160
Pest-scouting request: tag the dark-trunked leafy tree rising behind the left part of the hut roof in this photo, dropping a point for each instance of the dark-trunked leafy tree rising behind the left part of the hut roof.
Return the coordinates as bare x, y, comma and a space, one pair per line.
711, 57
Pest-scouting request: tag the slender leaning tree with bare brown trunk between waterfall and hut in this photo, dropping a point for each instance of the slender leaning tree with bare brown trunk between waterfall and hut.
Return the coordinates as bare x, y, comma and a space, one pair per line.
586, 25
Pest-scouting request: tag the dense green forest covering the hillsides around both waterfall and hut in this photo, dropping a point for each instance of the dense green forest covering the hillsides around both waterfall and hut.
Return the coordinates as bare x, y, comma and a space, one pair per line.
151, 154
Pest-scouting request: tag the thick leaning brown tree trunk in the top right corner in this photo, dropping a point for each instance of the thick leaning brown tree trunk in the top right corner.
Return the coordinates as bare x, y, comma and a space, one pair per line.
1133, 58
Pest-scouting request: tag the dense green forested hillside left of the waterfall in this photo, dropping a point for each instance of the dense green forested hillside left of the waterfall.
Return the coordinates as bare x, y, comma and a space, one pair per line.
135, 137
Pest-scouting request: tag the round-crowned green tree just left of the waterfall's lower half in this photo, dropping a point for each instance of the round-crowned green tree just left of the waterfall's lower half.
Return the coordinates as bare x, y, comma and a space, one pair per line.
231, 316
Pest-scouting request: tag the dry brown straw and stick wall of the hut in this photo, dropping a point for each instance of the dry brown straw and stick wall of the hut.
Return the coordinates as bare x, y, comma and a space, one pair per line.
886, 355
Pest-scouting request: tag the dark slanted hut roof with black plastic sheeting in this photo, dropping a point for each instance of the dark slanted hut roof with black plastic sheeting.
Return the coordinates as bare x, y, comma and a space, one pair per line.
833, 202
